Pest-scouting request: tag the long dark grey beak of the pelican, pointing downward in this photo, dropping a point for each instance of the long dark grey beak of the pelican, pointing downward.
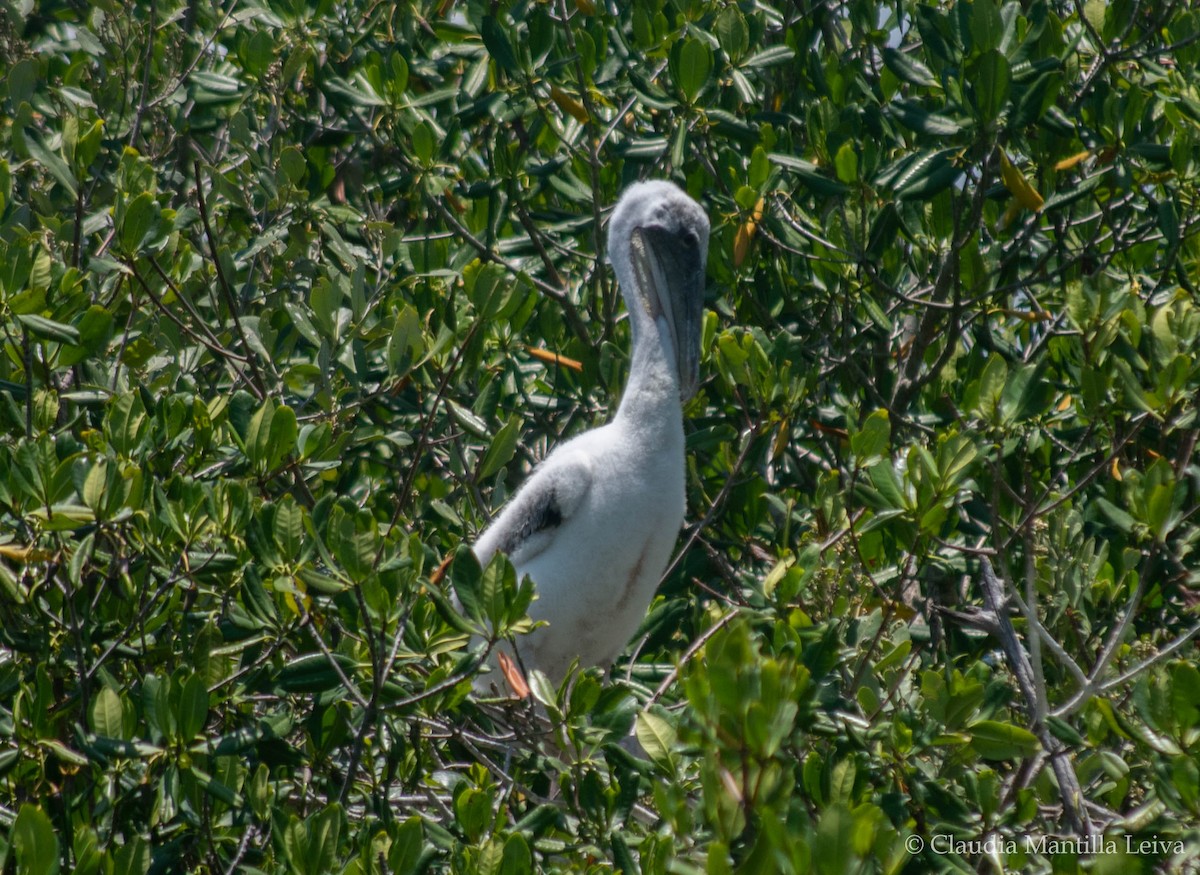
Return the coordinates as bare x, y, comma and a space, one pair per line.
671, 280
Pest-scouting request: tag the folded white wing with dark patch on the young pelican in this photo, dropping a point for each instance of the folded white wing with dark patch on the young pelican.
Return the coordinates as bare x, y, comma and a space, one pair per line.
529, 524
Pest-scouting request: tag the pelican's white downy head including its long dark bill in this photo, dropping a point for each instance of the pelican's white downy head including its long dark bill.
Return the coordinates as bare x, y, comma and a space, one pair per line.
658, 243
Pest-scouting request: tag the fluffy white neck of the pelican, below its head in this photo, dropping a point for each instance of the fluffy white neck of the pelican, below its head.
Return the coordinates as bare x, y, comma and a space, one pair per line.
651, 400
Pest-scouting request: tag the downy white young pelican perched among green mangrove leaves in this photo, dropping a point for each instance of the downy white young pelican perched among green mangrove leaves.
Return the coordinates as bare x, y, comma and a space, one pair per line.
596, 523
